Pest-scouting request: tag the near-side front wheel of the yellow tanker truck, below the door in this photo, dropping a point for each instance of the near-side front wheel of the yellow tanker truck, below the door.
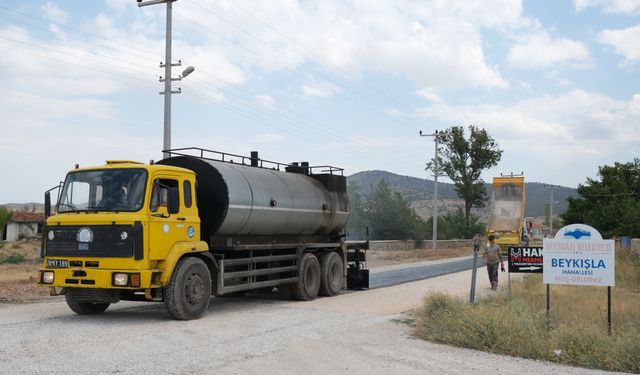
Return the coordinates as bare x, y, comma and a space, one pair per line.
189, 291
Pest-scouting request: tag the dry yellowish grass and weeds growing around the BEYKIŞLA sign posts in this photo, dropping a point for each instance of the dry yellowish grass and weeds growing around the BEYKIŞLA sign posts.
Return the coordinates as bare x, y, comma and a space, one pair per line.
575, 335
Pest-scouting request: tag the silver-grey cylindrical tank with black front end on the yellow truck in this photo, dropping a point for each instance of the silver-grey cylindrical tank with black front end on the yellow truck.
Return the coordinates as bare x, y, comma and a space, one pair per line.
241, 200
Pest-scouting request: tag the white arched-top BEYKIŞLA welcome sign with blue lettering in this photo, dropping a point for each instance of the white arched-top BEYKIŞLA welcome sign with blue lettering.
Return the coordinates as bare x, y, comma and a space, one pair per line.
579, 256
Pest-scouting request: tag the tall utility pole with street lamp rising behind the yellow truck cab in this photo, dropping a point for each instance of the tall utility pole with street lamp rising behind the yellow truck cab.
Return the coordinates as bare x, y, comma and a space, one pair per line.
167, 79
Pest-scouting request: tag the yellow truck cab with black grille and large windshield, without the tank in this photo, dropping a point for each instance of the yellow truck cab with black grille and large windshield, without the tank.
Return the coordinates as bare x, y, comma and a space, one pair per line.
117, 233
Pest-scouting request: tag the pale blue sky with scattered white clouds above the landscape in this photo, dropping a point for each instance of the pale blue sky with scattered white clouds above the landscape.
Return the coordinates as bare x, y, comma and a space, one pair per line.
346, 83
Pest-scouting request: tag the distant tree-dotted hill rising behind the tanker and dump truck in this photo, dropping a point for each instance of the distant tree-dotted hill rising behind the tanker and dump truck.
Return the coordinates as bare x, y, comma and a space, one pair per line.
419, 192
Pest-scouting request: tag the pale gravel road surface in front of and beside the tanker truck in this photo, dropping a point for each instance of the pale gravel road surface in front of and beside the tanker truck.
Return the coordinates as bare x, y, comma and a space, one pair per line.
356, 331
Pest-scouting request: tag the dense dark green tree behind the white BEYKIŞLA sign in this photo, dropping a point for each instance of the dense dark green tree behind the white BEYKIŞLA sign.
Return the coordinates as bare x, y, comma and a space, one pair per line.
610, 203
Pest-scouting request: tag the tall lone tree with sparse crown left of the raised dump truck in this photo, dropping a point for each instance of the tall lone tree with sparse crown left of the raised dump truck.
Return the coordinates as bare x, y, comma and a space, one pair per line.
462, 160
